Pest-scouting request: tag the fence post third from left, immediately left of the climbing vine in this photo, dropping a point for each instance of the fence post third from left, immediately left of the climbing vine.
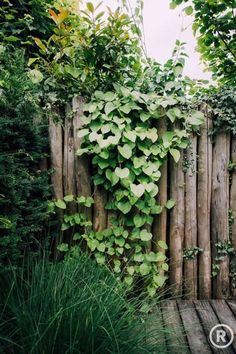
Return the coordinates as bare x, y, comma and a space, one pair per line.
82, 163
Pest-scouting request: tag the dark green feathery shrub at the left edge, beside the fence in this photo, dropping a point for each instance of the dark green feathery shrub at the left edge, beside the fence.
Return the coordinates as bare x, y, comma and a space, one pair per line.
24, 189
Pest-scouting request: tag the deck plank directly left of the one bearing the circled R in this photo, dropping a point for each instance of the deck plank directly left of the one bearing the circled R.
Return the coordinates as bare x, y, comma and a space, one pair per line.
195, 334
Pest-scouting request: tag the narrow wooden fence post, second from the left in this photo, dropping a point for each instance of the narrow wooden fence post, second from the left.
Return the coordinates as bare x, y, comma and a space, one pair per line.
69, 158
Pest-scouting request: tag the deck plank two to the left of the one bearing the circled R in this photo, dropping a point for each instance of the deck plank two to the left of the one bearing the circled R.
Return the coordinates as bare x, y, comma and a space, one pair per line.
175, 335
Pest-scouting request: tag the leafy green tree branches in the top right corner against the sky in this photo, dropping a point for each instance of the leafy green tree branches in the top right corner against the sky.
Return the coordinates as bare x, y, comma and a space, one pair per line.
214, 23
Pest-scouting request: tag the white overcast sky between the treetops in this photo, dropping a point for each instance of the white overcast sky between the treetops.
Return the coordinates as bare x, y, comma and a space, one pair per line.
162, 27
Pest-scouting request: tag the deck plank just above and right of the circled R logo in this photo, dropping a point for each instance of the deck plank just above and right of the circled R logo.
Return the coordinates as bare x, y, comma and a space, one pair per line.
225, 316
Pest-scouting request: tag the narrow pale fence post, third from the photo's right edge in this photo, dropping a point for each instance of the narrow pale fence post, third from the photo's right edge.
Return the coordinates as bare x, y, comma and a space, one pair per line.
203, 207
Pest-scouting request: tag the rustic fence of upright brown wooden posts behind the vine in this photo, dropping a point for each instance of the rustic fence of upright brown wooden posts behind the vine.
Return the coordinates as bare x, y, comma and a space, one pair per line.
203, 190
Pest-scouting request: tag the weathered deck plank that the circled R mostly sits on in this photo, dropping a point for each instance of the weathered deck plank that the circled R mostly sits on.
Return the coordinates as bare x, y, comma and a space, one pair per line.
209, 319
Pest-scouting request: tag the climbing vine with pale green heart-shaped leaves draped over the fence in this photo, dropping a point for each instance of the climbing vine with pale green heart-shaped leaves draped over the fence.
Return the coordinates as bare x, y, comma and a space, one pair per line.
120, 132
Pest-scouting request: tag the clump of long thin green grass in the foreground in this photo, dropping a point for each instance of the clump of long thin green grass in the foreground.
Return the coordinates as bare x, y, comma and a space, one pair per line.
71, 307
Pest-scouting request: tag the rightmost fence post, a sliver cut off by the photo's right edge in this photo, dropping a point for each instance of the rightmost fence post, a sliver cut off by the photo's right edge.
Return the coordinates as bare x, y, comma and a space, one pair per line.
233, 199
